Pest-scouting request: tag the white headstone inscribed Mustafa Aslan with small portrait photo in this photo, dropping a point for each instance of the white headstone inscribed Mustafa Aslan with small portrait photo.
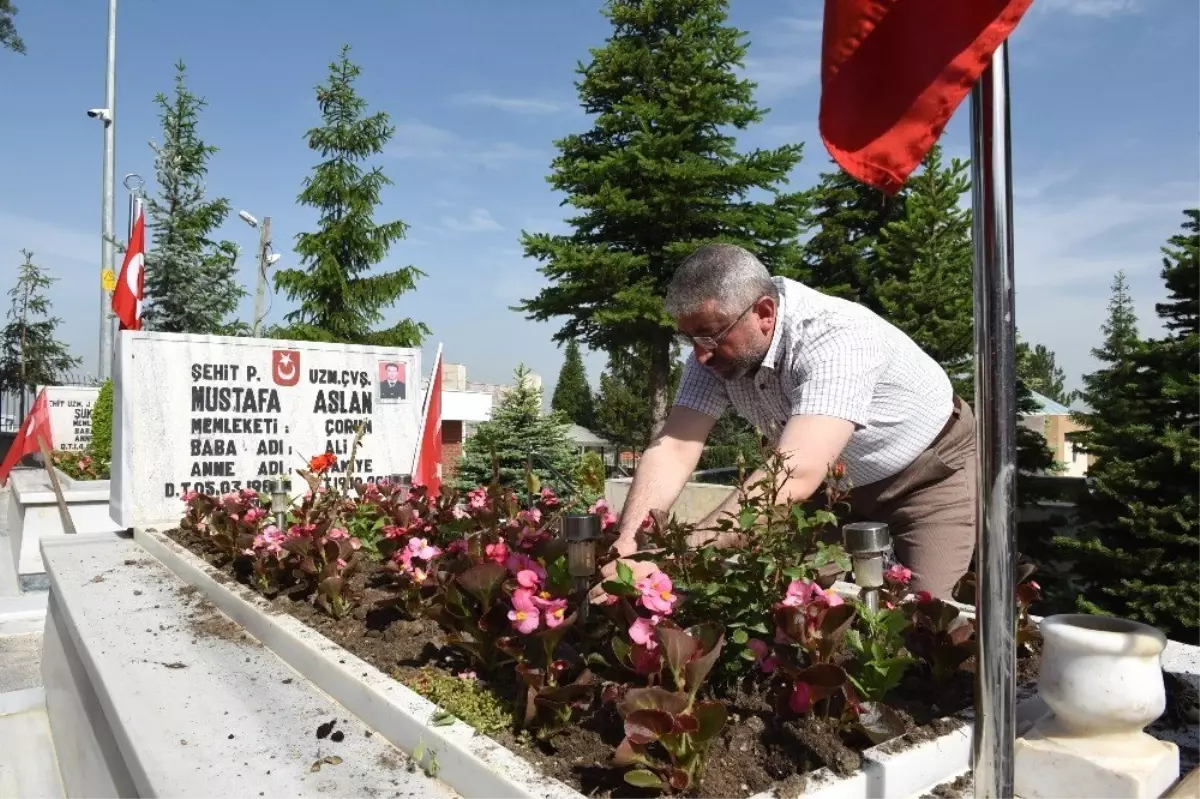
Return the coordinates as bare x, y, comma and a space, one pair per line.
183, 402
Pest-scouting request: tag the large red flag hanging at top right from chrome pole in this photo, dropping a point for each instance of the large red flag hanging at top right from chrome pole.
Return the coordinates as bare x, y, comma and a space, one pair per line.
895, 71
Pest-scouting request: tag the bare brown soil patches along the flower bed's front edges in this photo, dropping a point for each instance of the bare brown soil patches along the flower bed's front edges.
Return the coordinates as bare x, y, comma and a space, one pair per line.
757, 750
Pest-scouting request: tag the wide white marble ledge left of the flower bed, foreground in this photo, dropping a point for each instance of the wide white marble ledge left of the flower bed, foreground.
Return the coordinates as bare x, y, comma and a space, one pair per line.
188, 702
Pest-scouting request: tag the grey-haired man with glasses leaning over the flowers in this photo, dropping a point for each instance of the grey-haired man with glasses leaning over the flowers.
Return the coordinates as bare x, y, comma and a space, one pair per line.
826, 381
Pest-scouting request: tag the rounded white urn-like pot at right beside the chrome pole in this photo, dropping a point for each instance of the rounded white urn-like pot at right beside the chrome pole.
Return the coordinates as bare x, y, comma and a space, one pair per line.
1102, 676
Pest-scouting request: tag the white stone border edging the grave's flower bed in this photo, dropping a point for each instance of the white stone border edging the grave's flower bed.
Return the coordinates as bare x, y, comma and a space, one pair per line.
478, 766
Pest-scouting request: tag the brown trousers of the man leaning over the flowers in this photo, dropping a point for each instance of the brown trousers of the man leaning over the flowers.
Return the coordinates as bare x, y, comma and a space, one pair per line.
931, 507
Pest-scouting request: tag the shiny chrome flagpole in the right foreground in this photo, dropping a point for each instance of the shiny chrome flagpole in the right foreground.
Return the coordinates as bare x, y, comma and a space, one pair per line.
995, 725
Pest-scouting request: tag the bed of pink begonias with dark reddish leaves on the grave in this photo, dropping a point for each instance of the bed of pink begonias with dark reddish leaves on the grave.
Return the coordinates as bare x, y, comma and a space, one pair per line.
698, 671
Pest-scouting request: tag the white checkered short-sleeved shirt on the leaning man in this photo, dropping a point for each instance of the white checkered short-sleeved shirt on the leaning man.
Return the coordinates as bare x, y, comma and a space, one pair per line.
835, 358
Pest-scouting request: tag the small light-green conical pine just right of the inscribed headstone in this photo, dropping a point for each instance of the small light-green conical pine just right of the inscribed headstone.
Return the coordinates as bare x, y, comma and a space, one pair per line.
517, 429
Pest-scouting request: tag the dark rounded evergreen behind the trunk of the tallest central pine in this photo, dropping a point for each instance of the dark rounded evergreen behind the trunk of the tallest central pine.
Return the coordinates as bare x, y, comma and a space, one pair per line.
625, 414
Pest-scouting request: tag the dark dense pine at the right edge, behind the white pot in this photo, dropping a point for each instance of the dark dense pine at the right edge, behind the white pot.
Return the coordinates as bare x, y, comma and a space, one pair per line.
1142, 558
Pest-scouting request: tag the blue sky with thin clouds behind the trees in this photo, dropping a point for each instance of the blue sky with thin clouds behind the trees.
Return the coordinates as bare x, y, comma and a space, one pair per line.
1106, 143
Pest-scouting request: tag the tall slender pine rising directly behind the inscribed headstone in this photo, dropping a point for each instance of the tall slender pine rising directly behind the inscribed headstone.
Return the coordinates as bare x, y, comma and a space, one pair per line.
340, 298
